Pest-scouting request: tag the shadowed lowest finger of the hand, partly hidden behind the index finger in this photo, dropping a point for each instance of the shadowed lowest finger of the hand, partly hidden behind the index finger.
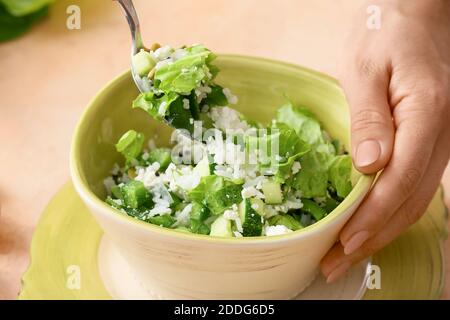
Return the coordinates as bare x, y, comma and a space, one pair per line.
336, 262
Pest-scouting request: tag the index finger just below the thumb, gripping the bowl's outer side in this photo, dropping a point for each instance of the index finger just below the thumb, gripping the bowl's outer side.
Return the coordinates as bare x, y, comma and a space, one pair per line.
414, 142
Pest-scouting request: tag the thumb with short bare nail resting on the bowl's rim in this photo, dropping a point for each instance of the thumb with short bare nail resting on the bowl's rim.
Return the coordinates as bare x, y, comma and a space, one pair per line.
372, 129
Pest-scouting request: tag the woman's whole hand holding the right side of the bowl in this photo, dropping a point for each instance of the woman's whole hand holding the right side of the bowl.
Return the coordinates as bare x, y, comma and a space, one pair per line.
397, 83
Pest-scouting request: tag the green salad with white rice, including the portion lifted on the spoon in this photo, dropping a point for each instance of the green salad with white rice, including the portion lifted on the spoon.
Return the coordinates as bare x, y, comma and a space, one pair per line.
224, 175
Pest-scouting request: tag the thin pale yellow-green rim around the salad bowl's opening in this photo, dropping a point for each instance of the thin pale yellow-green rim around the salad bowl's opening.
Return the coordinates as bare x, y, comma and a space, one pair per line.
359, 190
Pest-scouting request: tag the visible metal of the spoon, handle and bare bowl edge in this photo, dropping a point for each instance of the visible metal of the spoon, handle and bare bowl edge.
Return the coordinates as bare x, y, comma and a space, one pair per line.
137, 43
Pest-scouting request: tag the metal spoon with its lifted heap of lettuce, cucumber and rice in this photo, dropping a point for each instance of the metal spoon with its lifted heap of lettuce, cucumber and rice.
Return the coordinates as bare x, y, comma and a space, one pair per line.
177, 85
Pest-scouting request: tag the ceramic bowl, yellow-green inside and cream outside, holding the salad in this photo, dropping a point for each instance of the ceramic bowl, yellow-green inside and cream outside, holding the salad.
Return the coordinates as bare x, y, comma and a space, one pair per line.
180, 265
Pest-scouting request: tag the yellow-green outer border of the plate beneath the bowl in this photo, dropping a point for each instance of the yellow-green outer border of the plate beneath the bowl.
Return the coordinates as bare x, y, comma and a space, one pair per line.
412, 267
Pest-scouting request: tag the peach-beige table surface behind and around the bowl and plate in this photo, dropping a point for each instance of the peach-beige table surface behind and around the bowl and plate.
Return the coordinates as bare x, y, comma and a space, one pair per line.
48, 77
